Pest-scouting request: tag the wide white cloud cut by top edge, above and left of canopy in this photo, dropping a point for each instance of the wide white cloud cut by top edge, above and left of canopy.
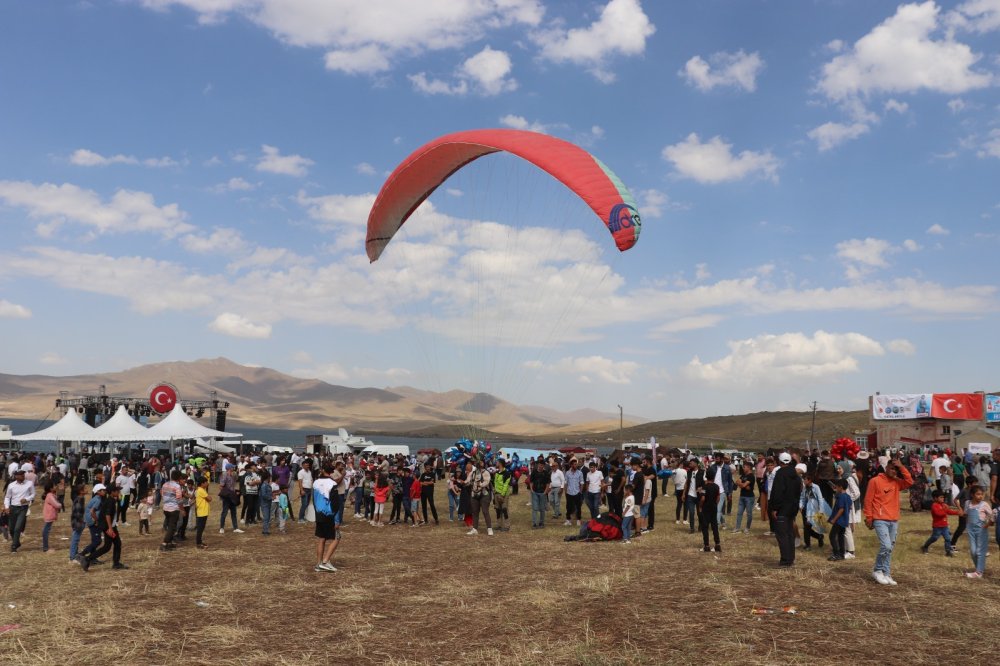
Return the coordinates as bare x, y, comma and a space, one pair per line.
371, 36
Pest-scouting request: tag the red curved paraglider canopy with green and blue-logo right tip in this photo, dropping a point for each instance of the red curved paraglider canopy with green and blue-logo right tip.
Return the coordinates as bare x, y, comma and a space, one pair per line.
433, 163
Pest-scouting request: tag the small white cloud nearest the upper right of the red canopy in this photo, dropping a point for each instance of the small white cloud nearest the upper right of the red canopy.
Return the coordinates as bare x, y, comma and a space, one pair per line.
714, 161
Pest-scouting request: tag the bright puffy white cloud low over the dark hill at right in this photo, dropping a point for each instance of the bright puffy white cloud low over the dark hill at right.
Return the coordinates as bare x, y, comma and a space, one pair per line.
785, 359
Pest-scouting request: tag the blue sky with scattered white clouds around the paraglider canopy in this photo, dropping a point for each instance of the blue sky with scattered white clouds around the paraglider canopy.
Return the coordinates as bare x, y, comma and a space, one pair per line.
818, 181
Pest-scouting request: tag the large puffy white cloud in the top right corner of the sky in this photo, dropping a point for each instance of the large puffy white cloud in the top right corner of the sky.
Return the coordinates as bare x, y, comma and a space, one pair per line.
902, 55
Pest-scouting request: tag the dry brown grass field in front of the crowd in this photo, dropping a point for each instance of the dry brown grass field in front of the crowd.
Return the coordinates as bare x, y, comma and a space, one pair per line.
435, 595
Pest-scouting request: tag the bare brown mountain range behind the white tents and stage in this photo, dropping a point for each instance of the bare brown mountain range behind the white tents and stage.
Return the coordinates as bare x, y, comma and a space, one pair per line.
266, 398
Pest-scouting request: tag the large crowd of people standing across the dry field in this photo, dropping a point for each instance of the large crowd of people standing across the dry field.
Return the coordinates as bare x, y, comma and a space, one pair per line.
268, 492
